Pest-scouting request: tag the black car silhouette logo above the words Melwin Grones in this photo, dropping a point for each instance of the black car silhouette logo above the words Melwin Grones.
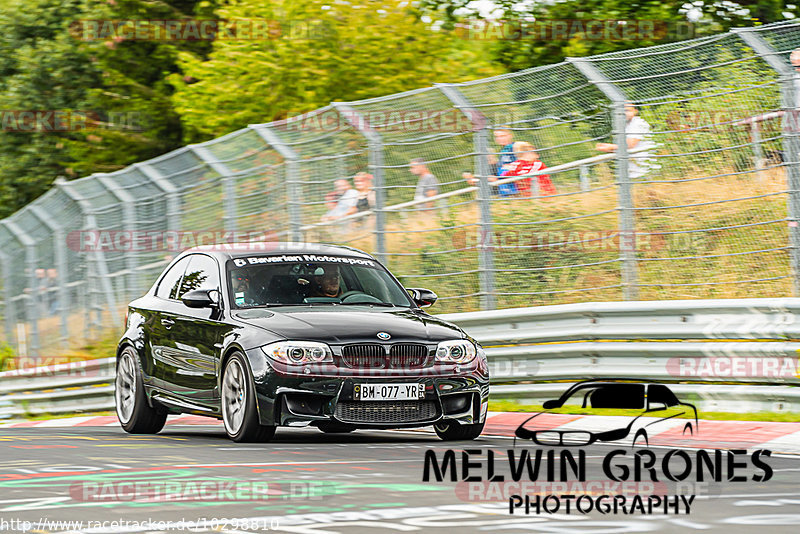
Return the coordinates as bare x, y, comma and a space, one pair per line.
656, 403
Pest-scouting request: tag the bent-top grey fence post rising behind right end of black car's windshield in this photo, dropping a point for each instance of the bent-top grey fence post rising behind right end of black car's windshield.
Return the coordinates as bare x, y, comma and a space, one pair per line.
376, 165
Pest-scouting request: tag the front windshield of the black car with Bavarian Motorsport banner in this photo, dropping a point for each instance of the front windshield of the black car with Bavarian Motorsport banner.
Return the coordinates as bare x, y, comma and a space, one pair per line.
310, 279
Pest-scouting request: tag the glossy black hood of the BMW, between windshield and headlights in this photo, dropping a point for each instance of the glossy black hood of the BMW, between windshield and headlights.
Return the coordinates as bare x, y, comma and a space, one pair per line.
343, 326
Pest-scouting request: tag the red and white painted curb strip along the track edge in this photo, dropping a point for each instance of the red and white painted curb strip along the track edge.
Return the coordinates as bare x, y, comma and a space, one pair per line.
777, 437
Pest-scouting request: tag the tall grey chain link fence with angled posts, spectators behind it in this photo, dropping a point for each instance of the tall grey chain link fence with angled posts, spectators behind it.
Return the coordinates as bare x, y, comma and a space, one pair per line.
698, 199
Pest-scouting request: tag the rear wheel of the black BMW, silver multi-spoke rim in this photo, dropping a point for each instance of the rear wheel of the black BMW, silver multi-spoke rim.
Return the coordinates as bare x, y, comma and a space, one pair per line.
133, 411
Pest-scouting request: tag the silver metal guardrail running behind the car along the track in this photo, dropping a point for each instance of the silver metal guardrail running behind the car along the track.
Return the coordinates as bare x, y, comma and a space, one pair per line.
736, 355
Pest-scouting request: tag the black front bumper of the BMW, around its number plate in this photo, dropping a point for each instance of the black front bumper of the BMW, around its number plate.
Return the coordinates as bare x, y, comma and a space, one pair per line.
291, 399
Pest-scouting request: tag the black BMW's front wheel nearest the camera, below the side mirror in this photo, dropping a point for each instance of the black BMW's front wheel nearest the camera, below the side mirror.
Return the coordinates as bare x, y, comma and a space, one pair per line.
239, 413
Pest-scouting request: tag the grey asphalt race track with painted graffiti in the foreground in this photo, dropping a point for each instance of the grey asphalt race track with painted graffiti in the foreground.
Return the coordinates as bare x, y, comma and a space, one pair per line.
318, 483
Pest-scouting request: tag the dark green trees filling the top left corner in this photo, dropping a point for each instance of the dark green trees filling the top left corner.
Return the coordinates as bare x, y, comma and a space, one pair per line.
112, 90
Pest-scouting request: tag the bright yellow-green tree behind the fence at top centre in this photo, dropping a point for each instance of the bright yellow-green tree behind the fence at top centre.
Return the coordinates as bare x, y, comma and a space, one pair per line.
317, 52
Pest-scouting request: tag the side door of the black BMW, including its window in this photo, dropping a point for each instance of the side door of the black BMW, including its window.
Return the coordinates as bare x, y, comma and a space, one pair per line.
192, 338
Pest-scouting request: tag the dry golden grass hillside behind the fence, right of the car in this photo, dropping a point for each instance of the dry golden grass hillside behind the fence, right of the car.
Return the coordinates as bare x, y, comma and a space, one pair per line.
693, 241
